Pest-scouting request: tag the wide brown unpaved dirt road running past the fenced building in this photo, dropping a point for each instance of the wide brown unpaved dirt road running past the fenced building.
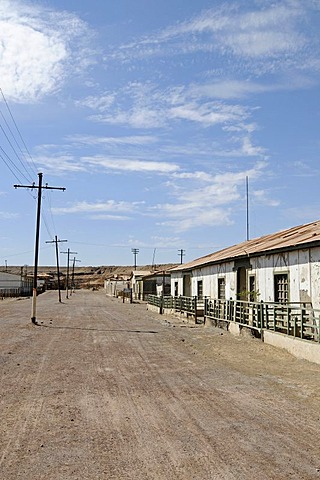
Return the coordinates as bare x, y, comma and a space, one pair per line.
105, 390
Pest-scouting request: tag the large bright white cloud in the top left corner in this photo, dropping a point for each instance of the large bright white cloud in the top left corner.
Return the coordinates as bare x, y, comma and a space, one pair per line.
35, 49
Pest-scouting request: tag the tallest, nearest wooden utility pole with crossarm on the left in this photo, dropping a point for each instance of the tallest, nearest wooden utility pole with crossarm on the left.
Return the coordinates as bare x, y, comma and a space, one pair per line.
40, 187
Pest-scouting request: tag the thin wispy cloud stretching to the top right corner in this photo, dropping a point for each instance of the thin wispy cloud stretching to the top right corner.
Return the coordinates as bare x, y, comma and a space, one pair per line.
259, 36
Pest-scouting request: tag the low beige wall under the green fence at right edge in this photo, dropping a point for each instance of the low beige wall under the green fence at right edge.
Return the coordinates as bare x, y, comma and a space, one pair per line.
297, 347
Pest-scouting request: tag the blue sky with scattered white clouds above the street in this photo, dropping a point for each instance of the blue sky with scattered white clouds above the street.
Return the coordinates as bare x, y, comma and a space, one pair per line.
151, 115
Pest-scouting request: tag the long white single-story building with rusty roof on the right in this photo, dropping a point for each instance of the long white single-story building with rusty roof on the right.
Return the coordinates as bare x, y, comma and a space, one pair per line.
281, 267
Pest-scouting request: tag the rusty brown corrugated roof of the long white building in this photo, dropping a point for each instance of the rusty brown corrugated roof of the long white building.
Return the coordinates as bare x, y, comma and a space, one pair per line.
290, 238
